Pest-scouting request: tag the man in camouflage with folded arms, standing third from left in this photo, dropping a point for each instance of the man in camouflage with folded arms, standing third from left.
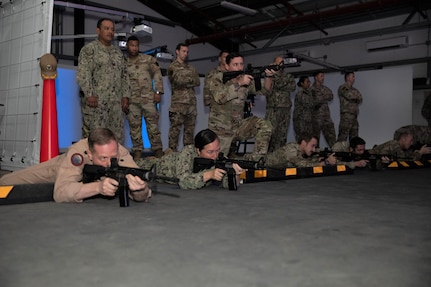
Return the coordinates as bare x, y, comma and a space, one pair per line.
183, 111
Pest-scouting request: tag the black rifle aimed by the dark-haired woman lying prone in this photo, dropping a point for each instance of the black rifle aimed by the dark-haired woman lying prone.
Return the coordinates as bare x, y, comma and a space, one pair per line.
226, 164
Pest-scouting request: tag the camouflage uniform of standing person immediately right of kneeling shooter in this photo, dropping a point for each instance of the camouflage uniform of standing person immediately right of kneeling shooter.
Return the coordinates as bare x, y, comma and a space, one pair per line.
278, 108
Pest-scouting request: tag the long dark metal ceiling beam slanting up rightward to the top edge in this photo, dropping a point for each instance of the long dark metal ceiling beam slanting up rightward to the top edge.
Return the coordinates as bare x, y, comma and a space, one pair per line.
297, 20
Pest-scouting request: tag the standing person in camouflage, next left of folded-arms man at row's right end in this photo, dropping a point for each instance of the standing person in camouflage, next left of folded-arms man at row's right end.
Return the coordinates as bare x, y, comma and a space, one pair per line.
322, 121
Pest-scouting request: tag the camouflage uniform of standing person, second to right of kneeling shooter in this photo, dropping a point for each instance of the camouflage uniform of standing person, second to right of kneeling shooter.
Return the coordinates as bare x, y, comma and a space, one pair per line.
303, 113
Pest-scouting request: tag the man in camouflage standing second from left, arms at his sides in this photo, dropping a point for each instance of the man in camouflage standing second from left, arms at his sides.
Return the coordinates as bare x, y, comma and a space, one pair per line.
143, 69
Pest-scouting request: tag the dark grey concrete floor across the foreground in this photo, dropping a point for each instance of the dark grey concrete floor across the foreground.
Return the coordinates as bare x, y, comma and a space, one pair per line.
366, 229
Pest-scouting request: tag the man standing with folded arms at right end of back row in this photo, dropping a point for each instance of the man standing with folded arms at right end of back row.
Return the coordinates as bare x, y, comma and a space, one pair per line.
350, 99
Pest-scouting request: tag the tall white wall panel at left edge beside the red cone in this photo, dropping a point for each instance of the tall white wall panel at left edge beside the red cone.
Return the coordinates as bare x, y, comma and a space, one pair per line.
25, 35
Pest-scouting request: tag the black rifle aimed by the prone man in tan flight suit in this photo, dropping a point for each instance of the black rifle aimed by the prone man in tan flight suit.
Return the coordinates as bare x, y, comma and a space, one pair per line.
93, 173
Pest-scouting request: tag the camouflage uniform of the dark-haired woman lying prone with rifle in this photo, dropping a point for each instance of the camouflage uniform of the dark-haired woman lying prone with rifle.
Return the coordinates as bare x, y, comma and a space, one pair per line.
180, 165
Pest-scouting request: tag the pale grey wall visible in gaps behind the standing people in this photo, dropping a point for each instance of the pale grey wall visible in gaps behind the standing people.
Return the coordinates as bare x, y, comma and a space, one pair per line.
383, 110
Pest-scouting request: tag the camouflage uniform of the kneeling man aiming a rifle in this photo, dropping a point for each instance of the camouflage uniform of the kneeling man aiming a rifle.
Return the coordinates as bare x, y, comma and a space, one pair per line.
226, 117
